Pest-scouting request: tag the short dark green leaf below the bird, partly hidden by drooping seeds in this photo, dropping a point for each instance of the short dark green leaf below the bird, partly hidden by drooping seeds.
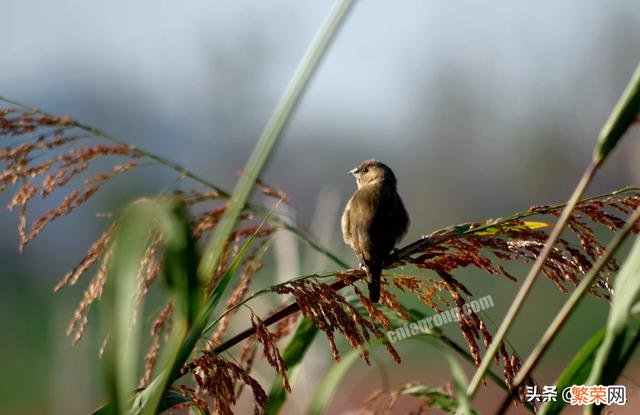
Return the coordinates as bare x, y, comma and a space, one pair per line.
292, 355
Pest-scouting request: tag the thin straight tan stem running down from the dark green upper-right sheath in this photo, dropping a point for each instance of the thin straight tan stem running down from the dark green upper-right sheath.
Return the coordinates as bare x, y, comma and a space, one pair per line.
531, 277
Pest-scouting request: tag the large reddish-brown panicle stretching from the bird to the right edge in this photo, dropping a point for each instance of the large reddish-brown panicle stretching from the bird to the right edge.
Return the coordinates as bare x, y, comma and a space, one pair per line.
513, 240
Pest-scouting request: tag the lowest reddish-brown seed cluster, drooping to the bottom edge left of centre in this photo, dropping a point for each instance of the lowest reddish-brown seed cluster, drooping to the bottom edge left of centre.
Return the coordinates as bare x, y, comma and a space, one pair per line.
216, 377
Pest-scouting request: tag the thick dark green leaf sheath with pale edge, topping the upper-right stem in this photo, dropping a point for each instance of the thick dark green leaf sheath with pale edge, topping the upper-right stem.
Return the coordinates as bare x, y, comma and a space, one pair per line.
623, 115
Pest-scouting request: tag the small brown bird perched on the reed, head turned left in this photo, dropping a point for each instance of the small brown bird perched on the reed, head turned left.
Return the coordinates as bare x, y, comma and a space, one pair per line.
374, 220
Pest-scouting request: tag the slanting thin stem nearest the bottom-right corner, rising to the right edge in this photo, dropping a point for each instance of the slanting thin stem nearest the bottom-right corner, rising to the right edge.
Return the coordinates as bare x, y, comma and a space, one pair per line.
576, 296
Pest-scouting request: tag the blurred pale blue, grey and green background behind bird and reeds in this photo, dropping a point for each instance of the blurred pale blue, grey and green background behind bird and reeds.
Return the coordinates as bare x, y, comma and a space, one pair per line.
482, 109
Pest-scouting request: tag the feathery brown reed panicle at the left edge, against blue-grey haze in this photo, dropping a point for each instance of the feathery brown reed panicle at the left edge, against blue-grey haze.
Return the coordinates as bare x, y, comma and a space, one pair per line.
41, 163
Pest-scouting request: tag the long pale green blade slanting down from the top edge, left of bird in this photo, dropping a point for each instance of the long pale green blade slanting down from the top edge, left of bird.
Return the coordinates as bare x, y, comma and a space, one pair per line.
272, 134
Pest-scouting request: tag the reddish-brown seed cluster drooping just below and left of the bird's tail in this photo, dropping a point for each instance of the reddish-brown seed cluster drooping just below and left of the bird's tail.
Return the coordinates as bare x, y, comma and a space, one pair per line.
330, 312
